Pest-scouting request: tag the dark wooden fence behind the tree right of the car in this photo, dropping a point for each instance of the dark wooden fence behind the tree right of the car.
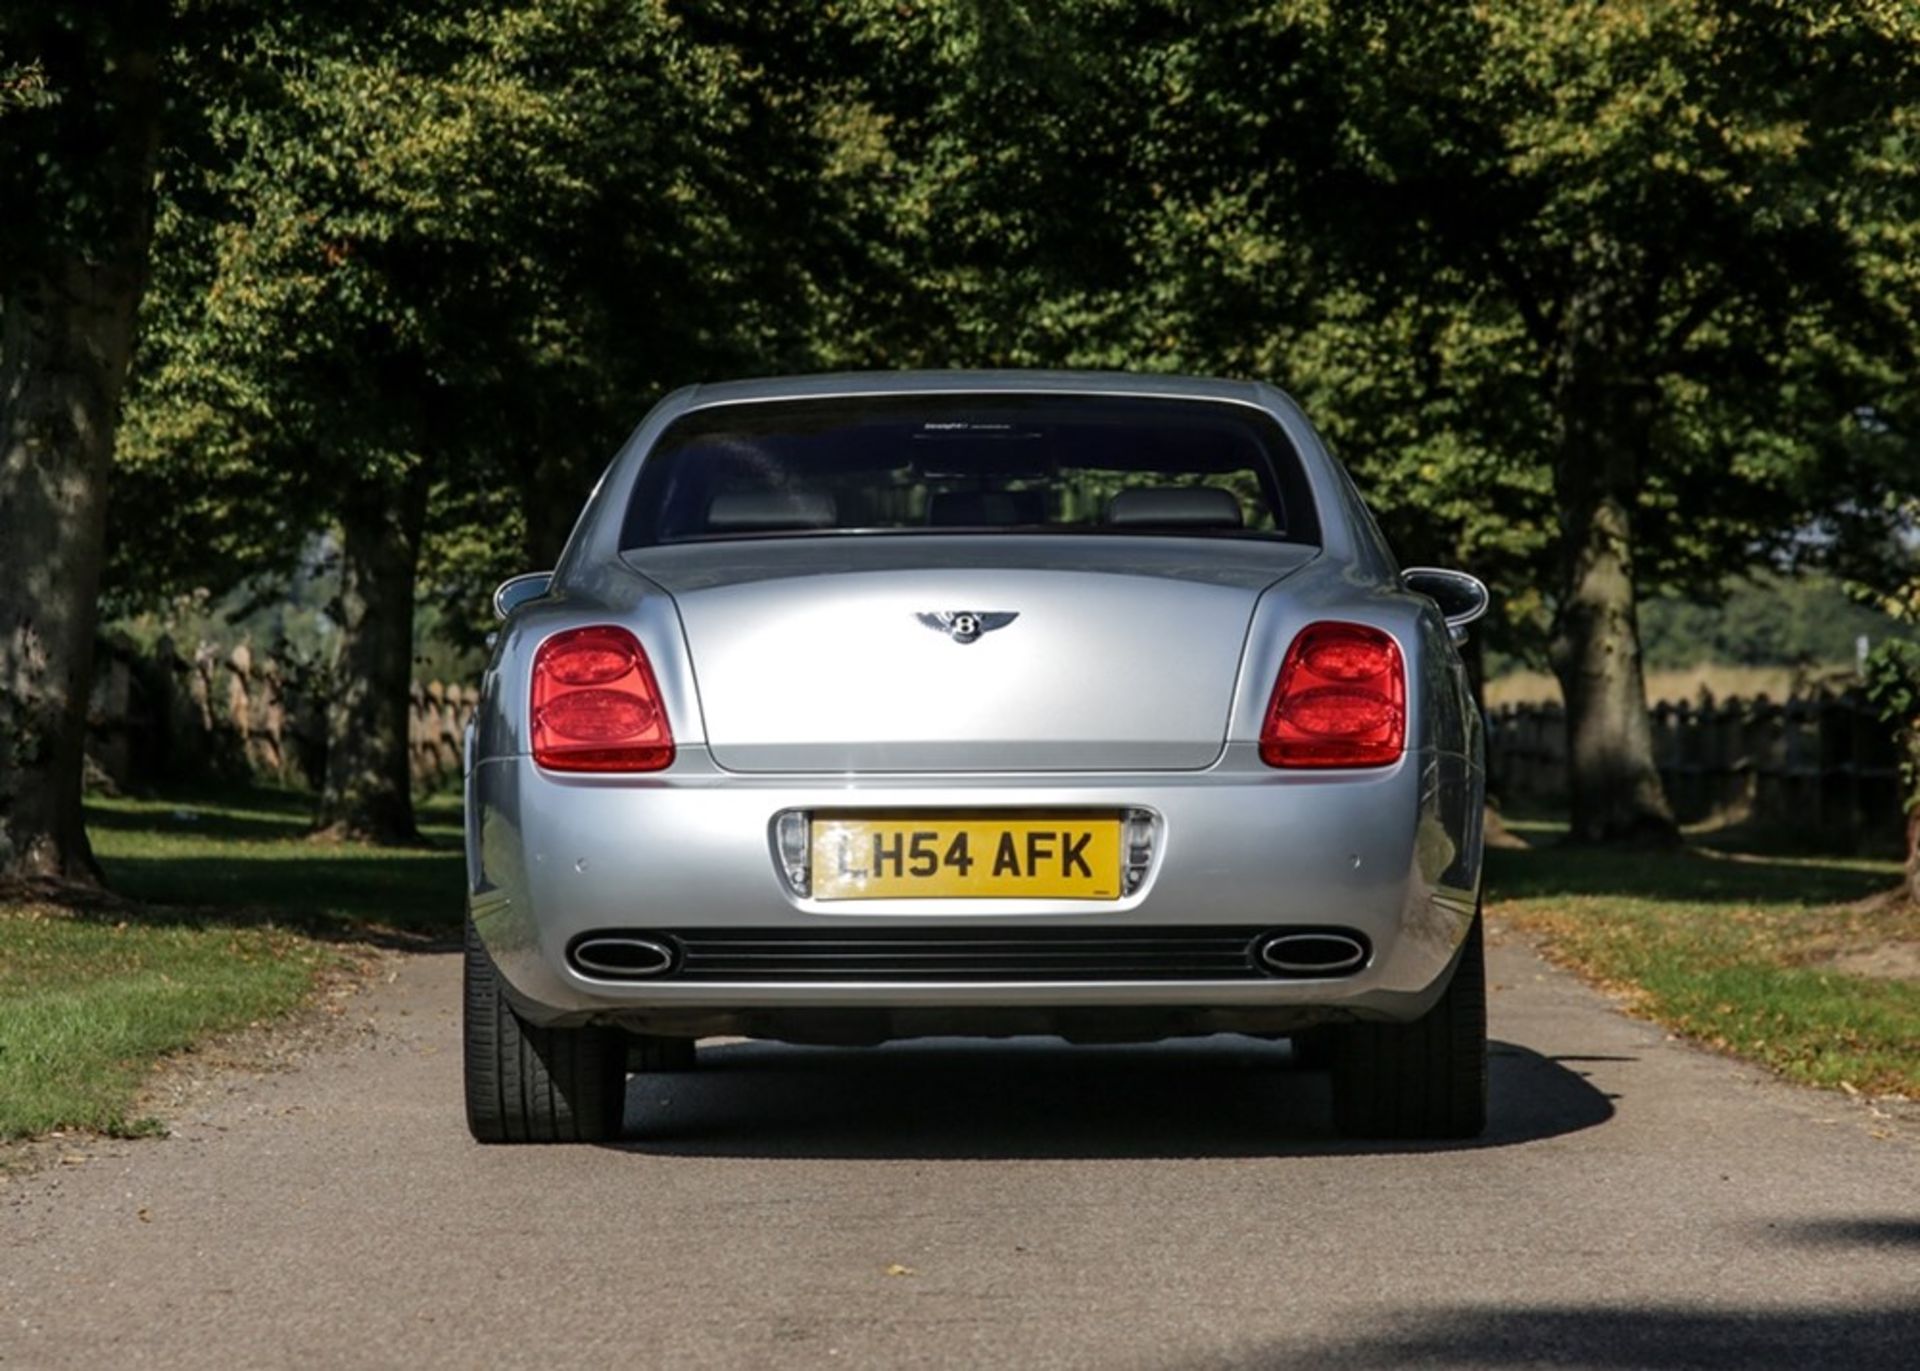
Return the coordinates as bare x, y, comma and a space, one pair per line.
1821, 767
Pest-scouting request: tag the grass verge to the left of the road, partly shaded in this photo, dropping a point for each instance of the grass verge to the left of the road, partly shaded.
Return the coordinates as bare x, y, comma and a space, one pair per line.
237, 919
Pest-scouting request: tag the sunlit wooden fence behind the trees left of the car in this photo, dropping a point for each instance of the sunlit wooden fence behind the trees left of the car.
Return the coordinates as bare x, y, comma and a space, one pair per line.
168, 715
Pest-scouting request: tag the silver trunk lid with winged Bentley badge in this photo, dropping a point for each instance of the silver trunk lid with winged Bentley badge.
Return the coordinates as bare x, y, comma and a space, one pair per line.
830, 654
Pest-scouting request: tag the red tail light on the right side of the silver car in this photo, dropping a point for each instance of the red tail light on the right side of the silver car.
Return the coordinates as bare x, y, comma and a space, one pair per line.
1341, 700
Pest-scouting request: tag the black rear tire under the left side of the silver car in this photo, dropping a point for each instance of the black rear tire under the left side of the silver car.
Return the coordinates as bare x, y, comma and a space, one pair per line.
529, 1084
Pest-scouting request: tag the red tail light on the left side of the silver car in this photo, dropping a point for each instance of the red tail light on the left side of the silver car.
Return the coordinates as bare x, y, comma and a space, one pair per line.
596, 706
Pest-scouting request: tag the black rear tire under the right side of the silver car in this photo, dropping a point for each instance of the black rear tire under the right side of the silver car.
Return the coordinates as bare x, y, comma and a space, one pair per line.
1422, 1080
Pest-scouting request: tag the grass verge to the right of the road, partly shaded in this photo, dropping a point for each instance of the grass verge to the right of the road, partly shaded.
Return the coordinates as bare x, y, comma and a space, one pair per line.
1731, 950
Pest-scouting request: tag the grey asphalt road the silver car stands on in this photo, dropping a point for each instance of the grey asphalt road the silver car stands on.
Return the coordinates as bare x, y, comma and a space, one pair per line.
1635, 1205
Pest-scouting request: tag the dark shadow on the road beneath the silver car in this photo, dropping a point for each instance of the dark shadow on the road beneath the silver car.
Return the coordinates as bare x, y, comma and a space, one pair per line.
1040, 1097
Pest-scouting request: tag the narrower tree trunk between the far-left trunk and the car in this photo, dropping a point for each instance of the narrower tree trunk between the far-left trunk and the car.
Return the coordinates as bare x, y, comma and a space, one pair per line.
370, 775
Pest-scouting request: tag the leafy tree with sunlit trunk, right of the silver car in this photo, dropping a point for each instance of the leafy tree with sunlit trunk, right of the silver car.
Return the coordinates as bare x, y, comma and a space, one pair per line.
1654, 193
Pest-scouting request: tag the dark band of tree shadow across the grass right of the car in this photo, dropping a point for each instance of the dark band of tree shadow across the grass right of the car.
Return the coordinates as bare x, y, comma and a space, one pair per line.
1689, 875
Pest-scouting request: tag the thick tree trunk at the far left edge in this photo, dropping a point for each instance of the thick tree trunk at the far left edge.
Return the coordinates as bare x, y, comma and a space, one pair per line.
68, 302
